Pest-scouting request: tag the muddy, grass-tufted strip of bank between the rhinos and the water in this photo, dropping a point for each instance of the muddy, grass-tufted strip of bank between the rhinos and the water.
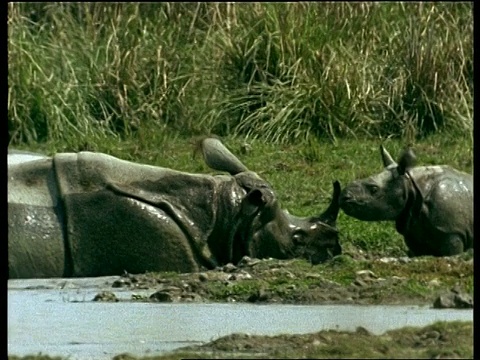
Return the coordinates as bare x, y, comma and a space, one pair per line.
440, 282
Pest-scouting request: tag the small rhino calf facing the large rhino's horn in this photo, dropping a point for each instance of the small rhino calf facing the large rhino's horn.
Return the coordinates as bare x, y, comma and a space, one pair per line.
431, 205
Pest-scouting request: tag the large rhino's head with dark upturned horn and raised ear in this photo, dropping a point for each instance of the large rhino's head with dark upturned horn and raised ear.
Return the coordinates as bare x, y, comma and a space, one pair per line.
273, 232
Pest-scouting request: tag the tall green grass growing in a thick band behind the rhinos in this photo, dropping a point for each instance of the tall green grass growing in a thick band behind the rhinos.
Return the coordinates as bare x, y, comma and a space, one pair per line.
80, 74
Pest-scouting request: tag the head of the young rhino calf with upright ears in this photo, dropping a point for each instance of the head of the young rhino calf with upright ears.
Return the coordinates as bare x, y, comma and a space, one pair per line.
382, 196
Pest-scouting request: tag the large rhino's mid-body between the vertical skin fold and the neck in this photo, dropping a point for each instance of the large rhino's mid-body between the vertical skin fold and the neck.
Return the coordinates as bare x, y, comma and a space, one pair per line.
123, 216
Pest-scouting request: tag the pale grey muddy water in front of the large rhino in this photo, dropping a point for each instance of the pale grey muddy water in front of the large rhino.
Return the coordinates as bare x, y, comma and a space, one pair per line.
57, 317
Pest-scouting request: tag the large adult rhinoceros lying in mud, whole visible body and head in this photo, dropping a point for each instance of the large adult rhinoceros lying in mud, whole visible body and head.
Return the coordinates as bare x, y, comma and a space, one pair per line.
91, 214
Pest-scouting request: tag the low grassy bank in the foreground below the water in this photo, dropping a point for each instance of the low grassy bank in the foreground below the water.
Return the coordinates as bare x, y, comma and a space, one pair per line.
439, 340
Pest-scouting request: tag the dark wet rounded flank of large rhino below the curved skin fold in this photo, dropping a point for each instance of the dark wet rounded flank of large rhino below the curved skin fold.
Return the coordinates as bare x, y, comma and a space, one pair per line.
109, 234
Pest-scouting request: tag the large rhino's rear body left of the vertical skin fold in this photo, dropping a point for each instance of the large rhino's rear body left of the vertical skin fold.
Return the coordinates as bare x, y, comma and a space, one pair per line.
35, 222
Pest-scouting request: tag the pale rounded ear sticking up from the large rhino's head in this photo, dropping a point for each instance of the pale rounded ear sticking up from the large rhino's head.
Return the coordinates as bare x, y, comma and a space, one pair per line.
218, 157
